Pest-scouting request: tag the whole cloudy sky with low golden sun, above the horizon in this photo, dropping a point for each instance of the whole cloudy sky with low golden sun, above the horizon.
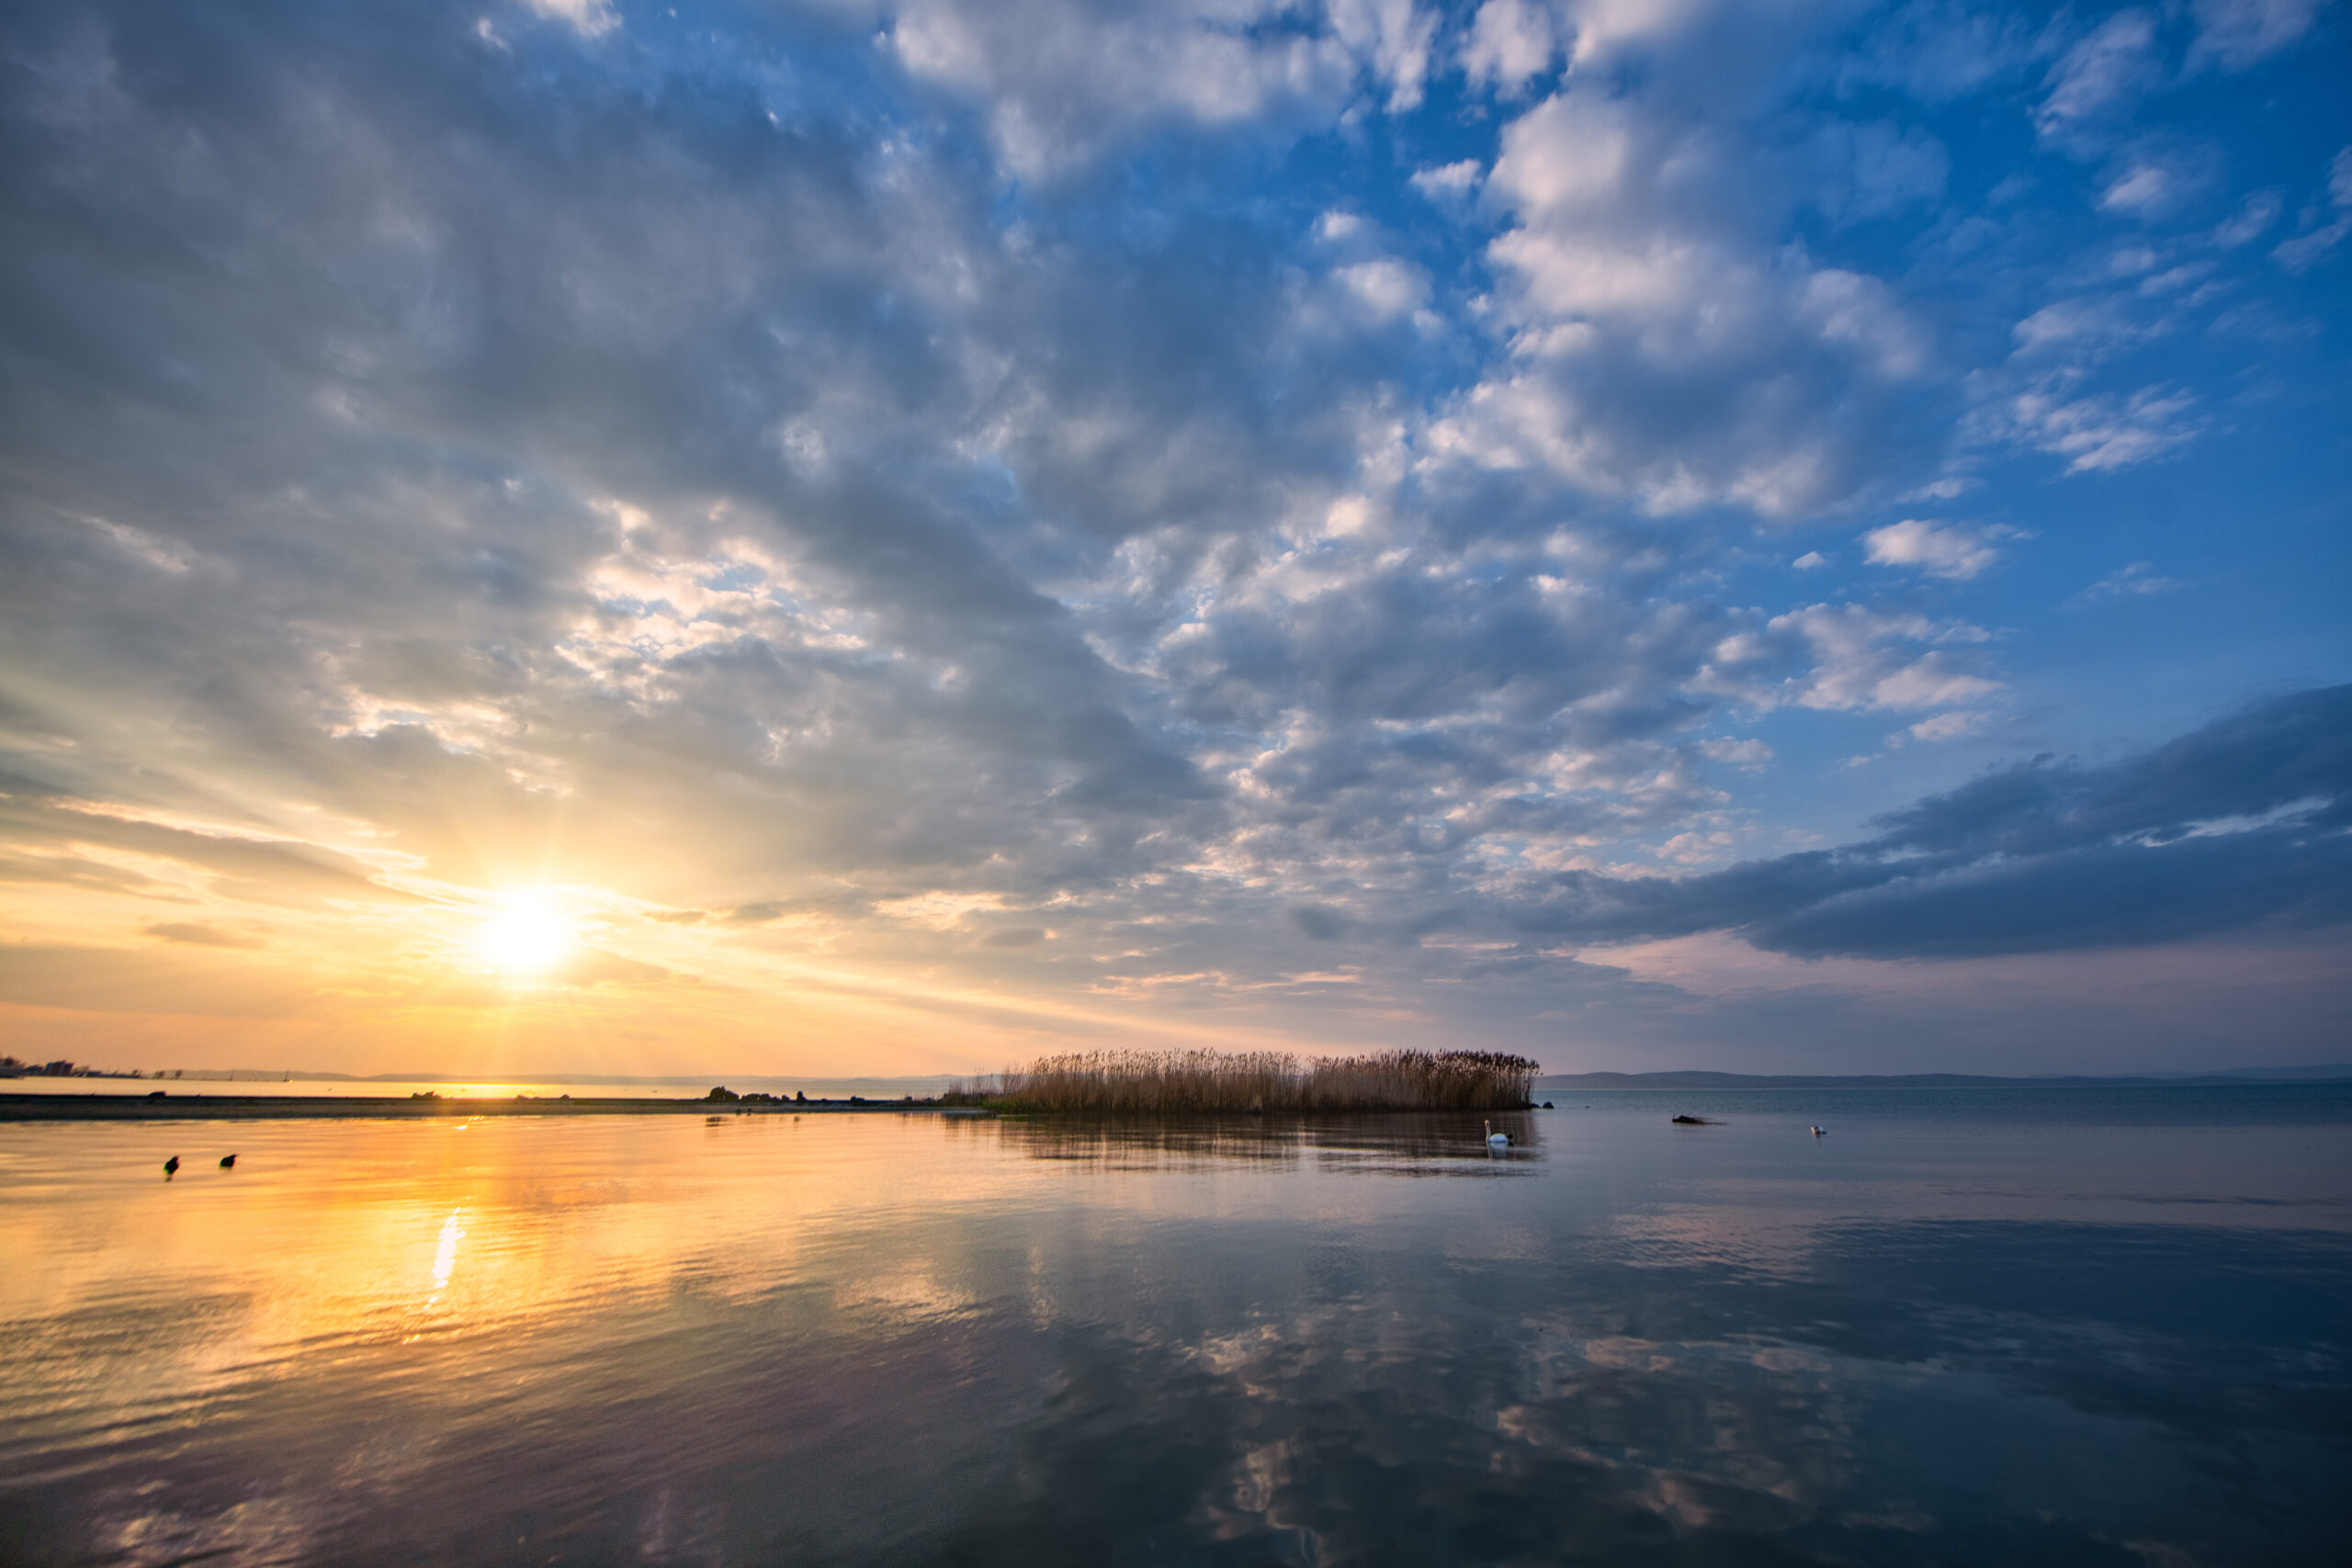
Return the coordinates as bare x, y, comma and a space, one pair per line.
834, 537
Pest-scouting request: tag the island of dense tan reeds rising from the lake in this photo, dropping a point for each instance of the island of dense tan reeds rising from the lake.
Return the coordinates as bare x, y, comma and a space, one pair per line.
1161, 1083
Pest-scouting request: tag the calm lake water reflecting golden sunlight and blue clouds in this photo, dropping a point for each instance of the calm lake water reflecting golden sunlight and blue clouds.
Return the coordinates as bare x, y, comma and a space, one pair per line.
2012, 1327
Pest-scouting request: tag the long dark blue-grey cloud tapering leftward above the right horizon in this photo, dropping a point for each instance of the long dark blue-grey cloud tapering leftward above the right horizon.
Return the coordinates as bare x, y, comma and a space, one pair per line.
2236, 826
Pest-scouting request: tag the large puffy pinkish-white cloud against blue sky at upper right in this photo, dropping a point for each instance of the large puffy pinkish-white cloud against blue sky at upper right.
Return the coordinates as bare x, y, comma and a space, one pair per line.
1662, 347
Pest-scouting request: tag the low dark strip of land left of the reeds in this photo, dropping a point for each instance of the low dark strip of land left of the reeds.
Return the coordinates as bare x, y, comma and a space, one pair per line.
356, 1108
